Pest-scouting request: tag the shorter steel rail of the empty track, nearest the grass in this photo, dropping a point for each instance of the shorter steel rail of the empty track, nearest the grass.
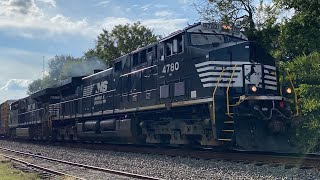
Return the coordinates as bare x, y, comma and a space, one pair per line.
51, 171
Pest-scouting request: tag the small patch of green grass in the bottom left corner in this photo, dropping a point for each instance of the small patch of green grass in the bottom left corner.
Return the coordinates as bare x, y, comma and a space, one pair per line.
7, 172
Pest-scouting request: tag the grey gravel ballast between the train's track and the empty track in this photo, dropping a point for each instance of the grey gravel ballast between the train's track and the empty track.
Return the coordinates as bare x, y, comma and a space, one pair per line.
166, 167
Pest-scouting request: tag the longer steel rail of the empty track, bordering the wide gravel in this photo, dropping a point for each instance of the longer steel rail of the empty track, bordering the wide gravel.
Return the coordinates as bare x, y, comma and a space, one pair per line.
111, 171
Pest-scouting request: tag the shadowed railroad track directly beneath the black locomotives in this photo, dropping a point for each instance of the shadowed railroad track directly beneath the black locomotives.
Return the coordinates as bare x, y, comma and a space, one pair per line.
303, 161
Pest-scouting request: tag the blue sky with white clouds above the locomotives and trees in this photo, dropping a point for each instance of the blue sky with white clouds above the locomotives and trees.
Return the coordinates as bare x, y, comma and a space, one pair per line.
33, 30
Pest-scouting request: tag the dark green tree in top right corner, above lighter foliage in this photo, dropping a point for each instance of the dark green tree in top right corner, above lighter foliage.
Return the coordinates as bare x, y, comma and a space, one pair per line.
300, 34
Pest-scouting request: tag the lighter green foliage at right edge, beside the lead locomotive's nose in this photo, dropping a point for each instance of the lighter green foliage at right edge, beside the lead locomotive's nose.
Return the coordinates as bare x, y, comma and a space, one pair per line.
306, 72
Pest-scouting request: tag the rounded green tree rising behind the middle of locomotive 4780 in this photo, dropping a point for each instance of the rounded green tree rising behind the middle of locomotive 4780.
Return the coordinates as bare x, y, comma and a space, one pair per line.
121, 40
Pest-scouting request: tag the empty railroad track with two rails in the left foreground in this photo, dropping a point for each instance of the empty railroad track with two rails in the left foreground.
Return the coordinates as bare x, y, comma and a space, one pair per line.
105, 170
